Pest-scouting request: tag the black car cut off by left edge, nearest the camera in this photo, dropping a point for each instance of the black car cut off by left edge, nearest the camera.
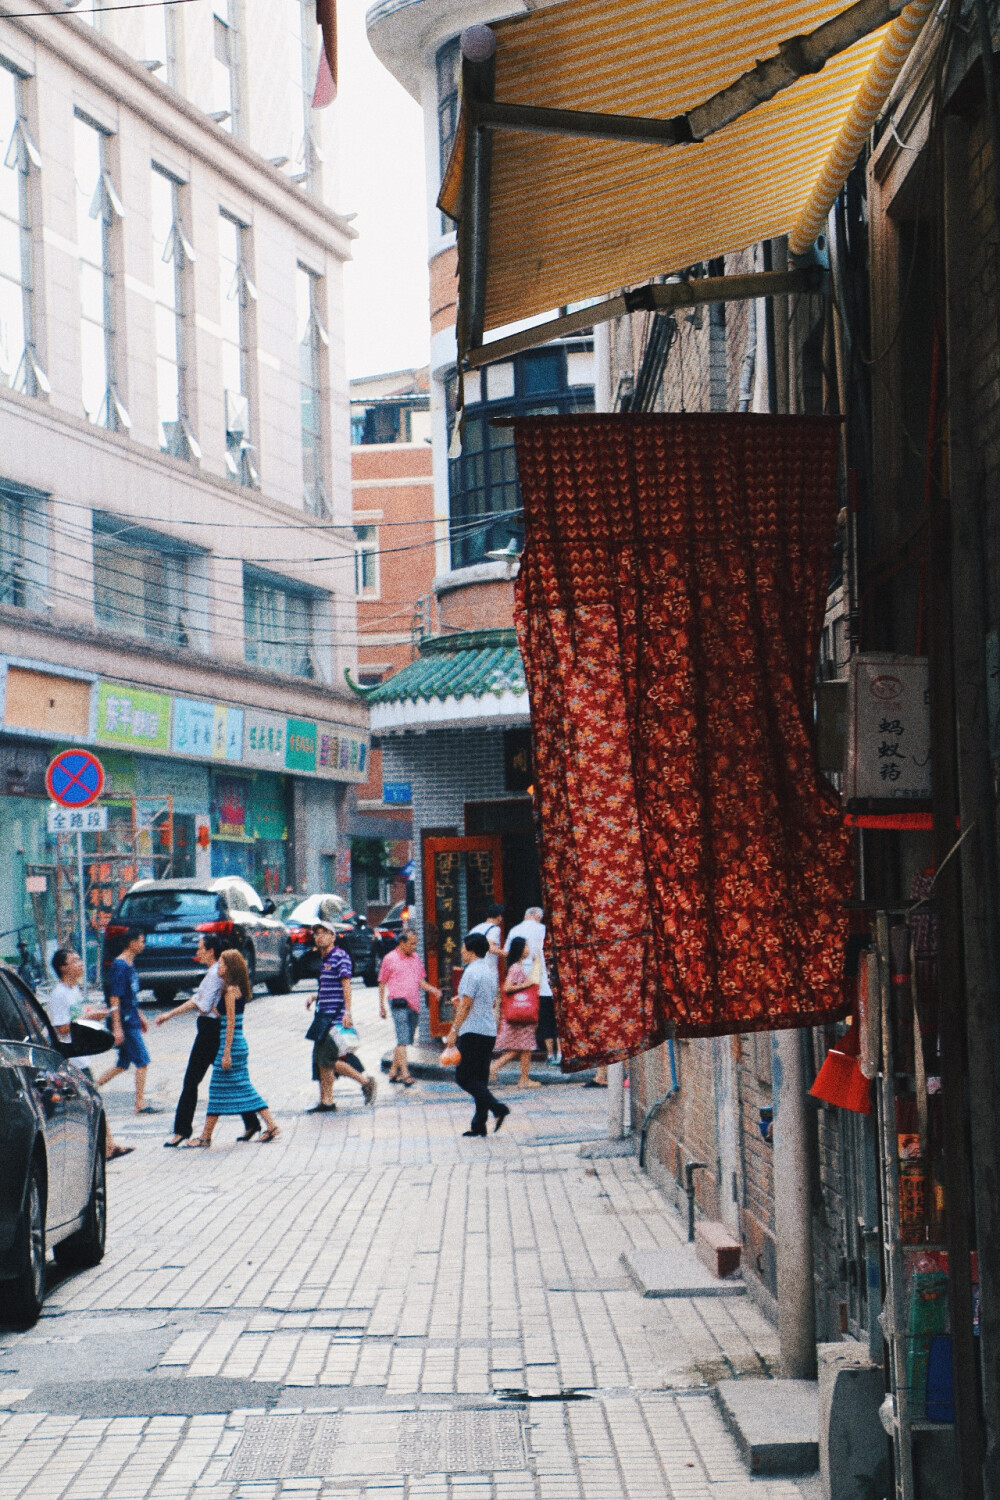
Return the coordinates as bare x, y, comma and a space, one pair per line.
52, 1151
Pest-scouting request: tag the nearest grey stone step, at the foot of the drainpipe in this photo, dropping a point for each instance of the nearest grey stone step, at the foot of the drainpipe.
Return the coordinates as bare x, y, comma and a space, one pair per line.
776, 1424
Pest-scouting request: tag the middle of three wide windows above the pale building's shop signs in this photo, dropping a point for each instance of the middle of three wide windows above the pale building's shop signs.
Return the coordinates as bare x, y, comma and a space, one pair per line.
143, 584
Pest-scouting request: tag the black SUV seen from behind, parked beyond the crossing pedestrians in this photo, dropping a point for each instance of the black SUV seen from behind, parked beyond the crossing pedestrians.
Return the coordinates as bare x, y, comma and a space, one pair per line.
175, 914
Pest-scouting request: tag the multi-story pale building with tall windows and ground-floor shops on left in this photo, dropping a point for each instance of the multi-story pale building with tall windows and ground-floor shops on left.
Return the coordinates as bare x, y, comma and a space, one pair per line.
176, 542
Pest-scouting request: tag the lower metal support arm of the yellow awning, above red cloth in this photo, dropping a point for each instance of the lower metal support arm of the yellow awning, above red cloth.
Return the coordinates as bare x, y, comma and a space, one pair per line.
660, 298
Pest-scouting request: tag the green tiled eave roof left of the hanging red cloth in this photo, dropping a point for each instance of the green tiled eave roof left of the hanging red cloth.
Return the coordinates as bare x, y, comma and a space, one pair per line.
473, 664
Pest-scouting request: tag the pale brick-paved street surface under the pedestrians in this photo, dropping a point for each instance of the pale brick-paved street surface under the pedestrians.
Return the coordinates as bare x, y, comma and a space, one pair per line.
374, 1306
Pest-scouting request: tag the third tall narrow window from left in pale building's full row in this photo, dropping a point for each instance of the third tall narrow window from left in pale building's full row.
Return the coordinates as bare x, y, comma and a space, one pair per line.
173, 254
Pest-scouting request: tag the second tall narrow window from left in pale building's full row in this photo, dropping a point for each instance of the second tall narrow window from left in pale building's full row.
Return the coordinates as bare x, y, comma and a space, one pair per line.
98, 211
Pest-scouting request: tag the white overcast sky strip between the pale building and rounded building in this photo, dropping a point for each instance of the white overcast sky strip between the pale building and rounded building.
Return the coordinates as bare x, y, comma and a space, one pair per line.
383, 182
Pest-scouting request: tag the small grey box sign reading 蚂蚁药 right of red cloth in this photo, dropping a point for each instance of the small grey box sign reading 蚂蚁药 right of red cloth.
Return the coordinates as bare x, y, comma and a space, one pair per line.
888, 730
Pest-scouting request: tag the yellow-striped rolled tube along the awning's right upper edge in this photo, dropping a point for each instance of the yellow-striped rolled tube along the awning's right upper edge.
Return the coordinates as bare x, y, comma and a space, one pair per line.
869, 106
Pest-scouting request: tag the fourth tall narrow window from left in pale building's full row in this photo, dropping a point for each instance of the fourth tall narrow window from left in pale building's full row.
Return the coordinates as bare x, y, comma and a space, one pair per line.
239, 296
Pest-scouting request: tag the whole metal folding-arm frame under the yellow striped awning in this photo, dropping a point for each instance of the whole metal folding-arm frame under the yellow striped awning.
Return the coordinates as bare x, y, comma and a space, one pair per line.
484, 116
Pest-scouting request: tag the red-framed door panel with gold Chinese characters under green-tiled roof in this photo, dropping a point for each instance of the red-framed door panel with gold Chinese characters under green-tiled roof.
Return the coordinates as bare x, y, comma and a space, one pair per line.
463, 880
